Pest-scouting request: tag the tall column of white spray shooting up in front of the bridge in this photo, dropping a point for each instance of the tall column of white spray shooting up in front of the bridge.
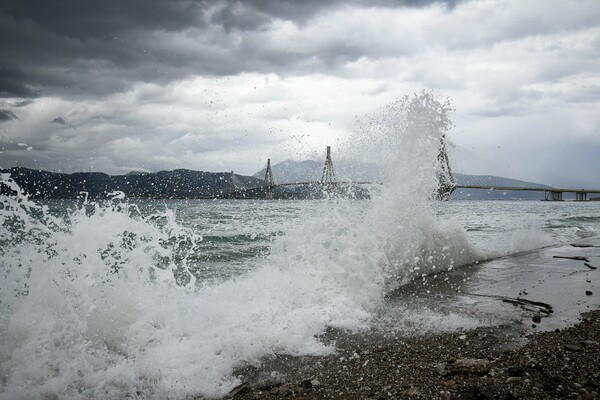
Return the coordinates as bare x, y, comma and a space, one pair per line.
404, 140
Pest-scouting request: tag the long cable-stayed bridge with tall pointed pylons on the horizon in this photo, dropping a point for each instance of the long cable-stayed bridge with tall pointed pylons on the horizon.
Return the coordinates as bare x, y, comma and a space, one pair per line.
447, 184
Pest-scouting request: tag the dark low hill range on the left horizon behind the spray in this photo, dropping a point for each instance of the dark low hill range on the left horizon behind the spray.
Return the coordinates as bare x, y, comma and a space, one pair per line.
180, 183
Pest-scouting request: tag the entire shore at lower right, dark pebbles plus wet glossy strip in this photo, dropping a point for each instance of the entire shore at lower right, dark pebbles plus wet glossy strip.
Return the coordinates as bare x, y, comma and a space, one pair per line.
537, 336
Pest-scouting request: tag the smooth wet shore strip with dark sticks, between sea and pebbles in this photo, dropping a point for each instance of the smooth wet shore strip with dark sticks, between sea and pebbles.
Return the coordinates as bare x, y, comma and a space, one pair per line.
544, 289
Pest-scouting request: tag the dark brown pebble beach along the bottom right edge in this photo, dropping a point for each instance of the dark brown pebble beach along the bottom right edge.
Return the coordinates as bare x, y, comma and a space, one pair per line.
560, 364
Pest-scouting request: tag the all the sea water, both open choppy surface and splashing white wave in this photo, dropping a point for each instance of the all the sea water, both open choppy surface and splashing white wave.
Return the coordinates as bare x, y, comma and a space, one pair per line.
167, 299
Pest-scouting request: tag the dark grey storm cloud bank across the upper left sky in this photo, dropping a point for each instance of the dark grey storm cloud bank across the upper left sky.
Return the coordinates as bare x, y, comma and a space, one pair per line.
77, 48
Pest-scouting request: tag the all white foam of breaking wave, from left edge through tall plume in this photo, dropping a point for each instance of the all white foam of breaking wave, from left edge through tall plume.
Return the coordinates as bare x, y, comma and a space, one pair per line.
98, 319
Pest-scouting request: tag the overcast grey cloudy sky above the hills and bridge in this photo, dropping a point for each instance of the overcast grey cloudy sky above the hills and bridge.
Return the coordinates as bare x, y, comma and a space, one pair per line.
148, 85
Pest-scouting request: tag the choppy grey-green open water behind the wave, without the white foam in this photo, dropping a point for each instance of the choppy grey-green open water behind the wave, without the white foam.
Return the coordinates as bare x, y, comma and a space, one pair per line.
238, 234
